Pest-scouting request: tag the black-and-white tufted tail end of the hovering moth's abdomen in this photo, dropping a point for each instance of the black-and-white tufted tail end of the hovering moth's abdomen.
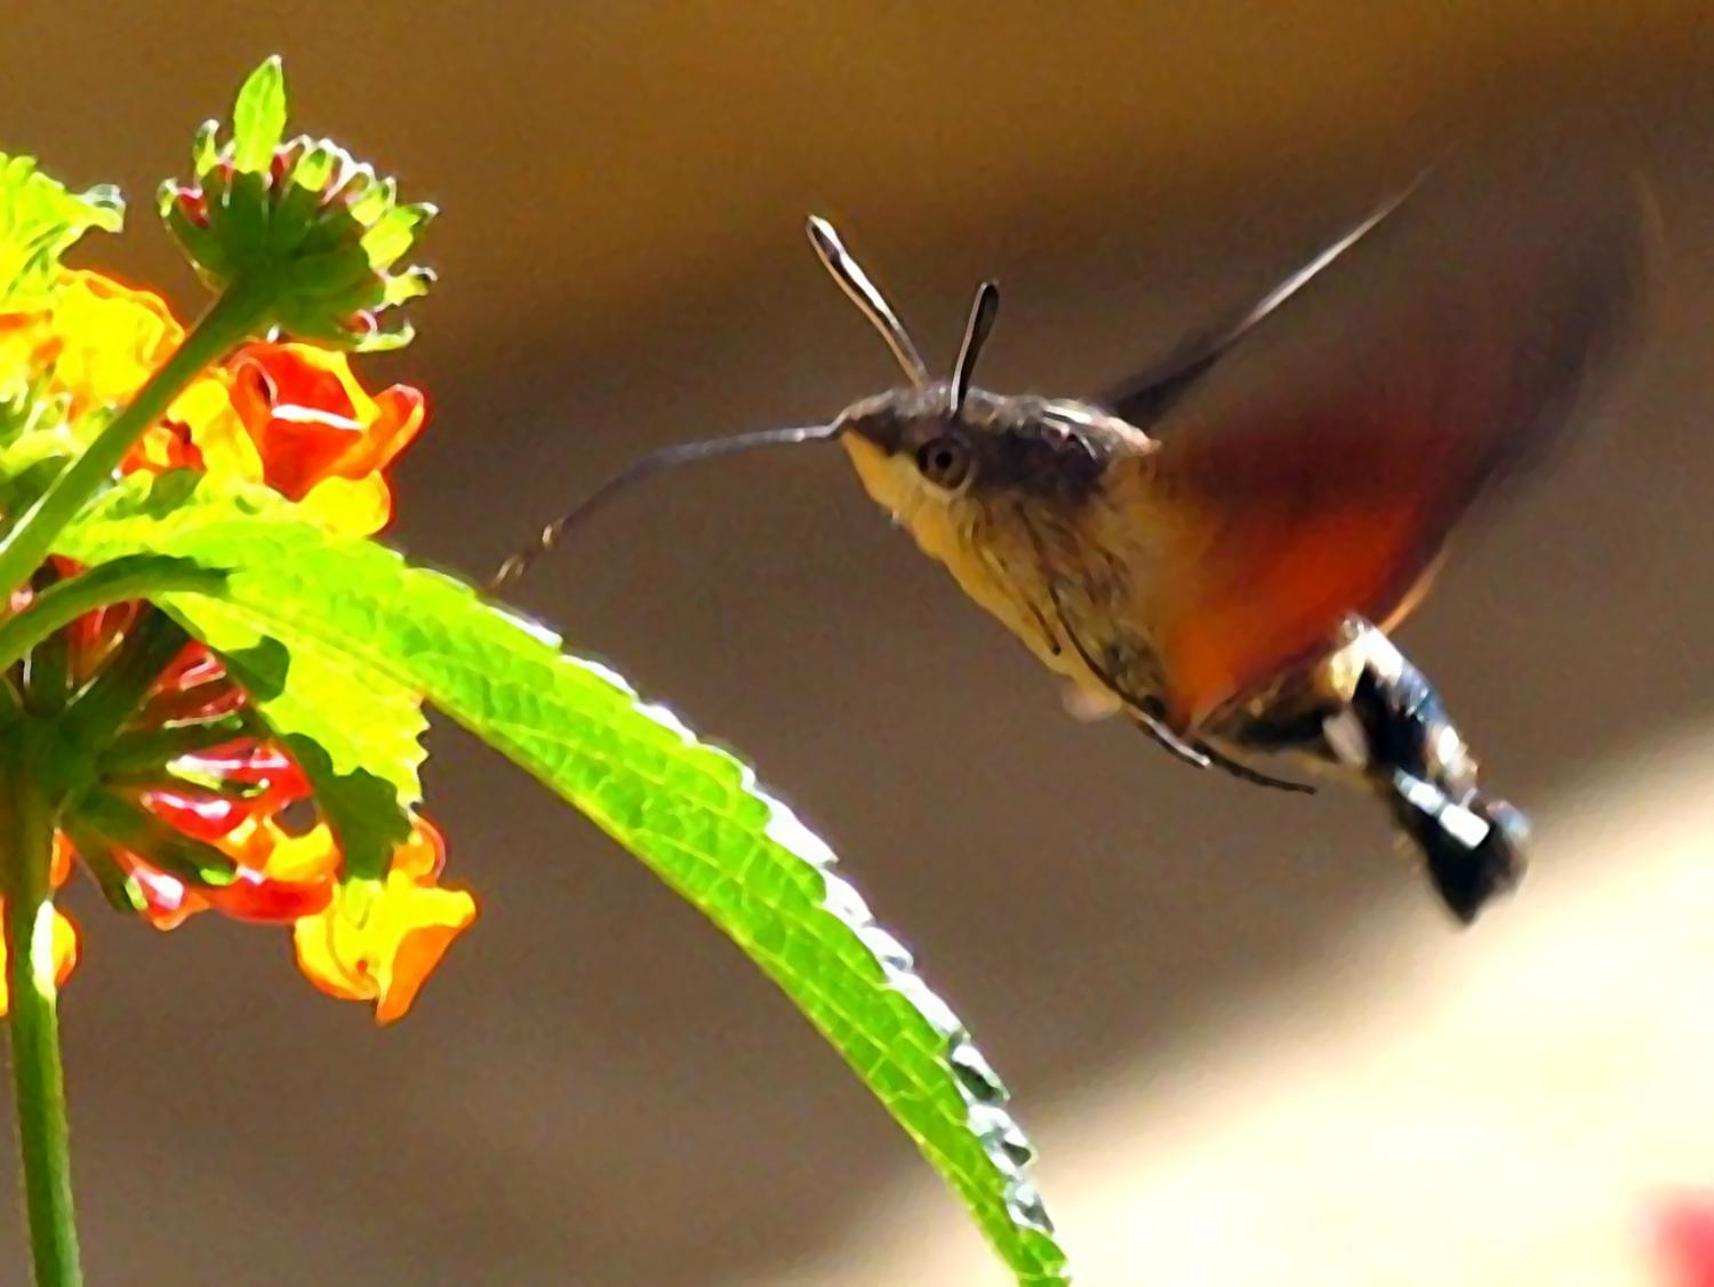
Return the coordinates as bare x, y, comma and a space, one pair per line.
1370, 712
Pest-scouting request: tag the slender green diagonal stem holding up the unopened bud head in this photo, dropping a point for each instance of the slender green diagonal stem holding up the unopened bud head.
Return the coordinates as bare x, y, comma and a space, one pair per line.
236, 316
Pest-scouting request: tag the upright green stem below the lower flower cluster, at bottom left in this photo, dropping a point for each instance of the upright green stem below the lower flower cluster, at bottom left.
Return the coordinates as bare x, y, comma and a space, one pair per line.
39, 1079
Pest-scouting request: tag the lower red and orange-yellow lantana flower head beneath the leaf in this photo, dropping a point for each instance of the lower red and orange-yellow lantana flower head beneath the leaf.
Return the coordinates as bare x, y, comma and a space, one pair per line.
188, 811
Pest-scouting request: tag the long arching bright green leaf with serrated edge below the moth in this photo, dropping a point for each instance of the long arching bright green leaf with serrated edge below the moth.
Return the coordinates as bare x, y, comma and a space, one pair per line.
692, 811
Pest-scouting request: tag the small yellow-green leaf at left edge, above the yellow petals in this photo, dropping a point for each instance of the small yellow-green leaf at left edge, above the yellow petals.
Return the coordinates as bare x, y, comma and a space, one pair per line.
39, 222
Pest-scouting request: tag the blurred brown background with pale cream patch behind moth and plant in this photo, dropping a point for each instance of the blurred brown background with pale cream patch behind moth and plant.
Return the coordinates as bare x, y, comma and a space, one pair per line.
1247, 1041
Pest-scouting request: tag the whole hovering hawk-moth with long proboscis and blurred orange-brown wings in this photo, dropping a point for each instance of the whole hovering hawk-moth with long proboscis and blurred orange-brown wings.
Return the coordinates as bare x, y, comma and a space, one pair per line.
1220, 548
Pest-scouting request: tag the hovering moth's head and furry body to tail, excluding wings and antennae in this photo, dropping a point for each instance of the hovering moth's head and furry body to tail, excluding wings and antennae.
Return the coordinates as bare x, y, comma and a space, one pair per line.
1052, 518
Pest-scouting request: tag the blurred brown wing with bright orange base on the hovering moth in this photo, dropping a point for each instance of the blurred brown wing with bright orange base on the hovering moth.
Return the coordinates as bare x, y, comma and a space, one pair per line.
1321, 472
